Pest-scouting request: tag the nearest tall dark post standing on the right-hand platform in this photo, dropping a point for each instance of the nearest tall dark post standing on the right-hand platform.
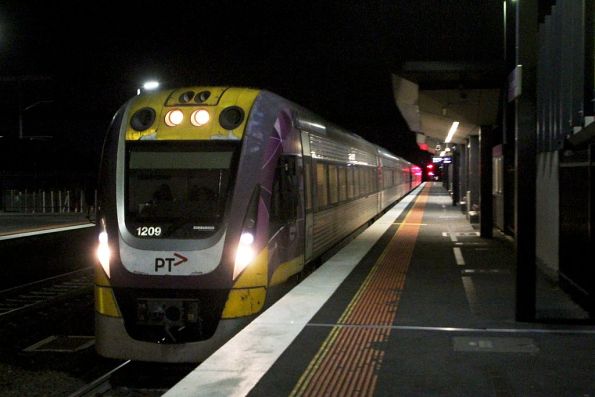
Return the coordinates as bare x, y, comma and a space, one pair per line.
525, 159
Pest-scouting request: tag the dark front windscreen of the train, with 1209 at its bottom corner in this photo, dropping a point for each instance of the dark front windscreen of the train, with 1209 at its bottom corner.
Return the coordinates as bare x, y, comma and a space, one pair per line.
177, 189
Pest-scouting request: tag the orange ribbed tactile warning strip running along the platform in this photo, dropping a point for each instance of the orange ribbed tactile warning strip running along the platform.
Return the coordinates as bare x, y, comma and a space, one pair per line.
349, 359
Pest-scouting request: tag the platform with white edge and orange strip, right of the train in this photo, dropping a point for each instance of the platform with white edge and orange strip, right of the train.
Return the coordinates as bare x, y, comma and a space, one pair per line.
417, 305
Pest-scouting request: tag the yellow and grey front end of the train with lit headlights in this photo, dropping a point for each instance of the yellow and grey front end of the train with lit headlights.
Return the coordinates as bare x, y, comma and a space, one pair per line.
172, 282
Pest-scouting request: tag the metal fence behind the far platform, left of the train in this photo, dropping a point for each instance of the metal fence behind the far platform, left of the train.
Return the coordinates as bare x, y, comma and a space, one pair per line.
47, 201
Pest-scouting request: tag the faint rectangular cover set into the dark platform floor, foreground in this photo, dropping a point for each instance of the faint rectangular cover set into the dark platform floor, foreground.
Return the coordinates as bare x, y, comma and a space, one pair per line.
494, 345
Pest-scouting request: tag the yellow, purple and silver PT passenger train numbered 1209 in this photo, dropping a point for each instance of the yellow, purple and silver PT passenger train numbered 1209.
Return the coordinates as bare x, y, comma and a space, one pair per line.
210, 198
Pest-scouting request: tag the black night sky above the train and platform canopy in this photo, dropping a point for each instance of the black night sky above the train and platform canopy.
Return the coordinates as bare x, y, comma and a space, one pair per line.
334, 58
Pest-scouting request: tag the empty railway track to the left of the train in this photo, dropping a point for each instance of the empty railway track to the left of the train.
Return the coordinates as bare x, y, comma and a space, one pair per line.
40, 293
